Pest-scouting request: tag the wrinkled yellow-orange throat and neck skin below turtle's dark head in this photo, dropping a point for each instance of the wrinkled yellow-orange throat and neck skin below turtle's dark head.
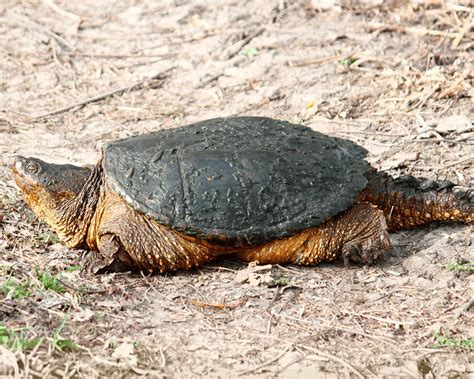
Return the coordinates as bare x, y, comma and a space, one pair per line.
69, 214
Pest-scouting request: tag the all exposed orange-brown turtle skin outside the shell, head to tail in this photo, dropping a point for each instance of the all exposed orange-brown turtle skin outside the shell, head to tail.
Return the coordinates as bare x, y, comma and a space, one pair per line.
86, 212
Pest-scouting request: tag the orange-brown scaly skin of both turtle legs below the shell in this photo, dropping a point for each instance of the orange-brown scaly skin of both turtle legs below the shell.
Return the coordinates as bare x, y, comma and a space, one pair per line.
119, 231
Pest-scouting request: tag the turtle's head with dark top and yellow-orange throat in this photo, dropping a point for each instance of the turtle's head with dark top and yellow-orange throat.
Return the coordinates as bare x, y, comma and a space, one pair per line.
56, 194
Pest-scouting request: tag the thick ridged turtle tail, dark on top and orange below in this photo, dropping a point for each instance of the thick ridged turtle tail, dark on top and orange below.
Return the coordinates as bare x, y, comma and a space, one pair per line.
408, 201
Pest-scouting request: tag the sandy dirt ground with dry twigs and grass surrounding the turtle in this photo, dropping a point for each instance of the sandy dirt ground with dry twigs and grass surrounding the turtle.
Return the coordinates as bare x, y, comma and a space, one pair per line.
394, 76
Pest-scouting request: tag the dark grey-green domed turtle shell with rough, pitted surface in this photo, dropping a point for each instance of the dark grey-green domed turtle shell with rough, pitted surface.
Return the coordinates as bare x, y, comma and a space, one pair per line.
237, 180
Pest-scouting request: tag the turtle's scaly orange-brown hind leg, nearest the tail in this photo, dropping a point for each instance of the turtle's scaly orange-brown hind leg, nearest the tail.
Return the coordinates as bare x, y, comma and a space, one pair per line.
358, 234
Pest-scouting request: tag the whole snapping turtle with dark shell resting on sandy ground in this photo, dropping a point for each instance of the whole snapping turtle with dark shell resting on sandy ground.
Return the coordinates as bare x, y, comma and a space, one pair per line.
268, 190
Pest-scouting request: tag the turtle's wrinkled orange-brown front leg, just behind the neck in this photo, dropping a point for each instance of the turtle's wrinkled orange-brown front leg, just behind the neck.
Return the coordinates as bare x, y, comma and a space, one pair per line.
124, 237
